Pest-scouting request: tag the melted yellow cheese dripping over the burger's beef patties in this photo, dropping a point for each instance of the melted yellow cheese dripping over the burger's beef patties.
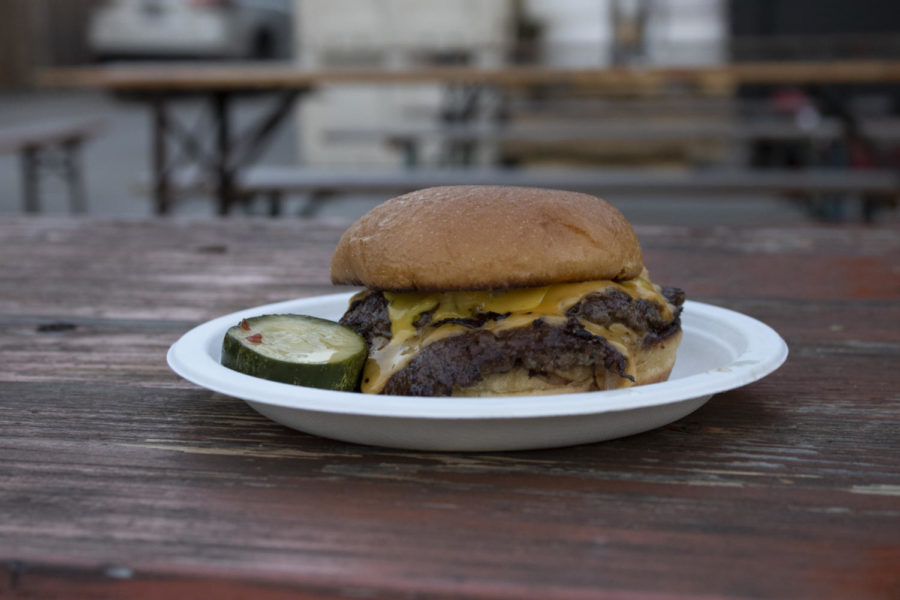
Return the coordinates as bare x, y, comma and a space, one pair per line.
521, 305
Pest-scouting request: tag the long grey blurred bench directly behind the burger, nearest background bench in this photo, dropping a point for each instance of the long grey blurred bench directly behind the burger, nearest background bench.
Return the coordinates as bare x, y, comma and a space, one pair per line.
272, 185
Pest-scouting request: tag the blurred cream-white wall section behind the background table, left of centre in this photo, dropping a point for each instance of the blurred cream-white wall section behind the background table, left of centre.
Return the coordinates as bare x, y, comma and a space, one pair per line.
388, 34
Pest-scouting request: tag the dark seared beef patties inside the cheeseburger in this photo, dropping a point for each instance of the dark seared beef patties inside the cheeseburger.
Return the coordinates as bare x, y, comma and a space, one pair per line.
541, 348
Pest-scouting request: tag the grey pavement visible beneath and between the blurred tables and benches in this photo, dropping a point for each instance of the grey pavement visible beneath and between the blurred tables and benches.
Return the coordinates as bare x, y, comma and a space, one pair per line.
115, 163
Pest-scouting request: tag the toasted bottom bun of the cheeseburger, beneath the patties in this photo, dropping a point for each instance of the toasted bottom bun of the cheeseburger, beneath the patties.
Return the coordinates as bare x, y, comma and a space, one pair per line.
650, 365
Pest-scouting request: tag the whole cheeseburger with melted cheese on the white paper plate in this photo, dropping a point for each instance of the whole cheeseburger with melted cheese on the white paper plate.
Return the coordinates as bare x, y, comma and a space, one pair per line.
484, 290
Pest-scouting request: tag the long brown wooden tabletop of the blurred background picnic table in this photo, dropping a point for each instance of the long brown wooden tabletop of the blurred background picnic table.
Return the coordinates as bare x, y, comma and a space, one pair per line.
206, 77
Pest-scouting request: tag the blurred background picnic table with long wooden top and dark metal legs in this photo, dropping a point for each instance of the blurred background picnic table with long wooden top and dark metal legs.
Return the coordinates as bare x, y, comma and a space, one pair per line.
223, 151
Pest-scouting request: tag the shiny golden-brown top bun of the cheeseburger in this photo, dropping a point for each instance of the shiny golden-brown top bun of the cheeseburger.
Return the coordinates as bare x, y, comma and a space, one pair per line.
486, 237
